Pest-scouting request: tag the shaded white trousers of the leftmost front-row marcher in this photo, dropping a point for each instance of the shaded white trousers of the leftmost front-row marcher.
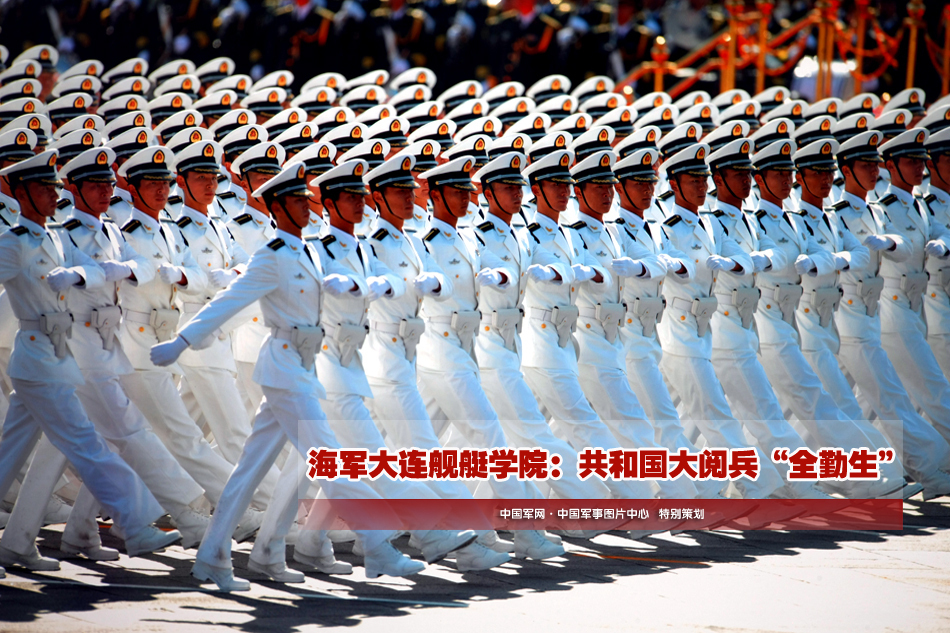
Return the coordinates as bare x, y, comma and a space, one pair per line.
54, 409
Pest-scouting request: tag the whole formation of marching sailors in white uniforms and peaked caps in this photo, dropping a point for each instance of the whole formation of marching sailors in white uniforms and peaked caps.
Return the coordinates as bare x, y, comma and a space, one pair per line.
366, 267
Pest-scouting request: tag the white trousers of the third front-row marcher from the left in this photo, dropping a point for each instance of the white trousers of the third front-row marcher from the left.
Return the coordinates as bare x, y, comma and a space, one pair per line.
155, 395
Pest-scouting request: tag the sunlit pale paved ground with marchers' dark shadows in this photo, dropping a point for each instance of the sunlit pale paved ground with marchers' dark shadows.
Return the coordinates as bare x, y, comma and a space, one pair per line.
697, 581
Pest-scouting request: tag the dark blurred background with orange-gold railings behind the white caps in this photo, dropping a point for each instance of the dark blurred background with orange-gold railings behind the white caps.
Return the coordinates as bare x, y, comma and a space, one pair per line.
694, 44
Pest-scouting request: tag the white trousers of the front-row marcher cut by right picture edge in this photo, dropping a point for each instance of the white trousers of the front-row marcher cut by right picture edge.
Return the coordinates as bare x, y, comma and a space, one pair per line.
918, 370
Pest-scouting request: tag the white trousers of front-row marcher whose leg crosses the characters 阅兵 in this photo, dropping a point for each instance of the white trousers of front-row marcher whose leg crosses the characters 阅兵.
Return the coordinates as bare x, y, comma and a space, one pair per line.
704, 404
